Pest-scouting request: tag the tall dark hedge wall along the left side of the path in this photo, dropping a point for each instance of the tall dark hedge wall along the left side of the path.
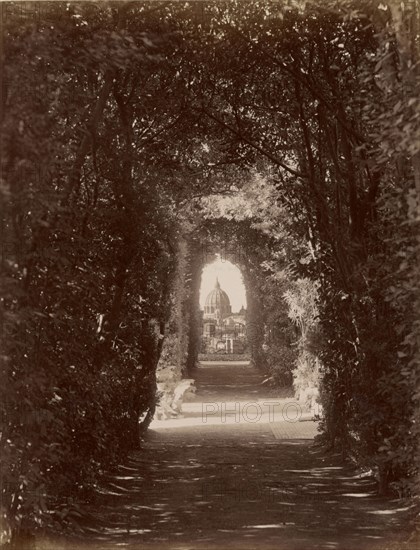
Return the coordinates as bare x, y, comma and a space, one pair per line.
85, 286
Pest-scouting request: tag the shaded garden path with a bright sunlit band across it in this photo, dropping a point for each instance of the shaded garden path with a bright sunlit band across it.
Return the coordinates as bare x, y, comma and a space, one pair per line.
240, 470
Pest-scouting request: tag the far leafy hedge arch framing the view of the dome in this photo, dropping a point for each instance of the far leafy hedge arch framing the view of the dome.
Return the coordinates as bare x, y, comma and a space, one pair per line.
270, 334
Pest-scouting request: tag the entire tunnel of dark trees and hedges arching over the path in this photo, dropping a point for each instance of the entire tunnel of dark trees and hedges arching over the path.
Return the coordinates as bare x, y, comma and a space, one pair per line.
134, 134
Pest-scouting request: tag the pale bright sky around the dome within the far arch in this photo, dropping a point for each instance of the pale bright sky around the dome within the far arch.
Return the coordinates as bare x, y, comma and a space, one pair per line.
230, 280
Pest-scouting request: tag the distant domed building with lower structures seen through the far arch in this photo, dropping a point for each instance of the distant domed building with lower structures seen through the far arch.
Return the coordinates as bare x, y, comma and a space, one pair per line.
223, 331
